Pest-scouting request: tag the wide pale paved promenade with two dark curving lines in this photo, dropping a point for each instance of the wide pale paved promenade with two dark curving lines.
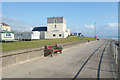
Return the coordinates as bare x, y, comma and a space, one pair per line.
68, 64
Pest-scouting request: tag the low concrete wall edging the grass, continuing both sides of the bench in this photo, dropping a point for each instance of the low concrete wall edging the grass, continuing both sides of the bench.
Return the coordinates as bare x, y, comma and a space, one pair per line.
21, 56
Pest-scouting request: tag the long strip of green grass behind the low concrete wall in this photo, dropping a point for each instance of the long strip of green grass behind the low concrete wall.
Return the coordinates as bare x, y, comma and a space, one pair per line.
38, 43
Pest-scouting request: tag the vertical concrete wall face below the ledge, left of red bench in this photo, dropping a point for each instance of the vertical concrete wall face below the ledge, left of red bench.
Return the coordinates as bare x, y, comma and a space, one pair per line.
13, 59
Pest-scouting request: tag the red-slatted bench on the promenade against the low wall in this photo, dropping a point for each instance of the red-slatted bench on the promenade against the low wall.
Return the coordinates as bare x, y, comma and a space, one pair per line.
51, 49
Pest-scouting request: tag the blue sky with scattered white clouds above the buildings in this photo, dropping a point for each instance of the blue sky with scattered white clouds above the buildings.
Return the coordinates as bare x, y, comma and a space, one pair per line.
80, 16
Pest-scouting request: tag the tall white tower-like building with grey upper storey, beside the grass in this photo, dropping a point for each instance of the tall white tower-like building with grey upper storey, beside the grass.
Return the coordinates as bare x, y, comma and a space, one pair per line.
56, 28
